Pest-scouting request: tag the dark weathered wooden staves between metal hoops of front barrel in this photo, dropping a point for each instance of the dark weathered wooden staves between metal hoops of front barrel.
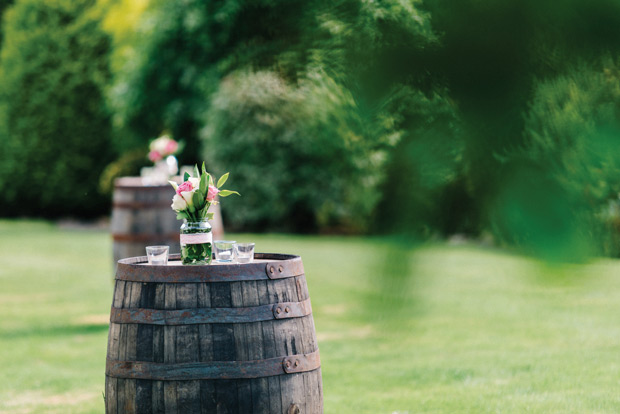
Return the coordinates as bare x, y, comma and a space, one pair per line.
213, 342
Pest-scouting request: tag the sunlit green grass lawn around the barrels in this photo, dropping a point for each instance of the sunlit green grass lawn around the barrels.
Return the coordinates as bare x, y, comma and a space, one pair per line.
452, 329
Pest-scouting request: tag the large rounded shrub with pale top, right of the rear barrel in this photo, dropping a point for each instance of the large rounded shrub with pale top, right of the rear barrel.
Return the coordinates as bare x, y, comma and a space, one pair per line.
295, 153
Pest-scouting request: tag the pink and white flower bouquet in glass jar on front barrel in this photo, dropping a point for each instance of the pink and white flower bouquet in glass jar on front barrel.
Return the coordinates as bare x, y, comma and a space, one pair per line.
191, 202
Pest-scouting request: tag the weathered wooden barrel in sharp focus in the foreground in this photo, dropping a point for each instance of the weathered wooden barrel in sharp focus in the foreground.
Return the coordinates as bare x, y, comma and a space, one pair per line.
223, 338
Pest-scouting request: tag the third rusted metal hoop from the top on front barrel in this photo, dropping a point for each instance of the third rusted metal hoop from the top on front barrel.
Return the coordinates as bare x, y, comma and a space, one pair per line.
215, 369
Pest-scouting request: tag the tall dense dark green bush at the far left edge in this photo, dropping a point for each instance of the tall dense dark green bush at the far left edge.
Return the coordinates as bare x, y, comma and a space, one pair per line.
54, 128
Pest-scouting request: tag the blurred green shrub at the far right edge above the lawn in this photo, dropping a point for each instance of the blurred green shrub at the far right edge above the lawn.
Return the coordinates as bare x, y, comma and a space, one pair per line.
571, 132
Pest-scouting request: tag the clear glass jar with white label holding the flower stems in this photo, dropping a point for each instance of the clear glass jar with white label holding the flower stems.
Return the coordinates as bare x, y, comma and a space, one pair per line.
196, 242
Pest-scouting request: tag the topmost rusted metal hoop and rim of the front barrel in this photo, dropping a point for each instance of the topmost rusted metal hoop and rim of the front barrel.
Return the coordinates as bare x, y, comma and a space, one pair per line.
133, 270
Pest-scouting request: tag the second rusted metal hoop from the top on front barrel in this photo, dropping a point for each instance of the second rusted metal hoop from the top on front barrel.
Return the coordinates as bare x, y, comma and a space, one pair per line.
195, 316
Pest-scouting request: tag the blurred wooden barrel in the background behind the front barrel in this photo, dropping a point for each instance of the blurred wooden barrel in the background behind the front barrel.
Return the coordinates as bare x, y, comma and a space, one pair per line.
141, 216
